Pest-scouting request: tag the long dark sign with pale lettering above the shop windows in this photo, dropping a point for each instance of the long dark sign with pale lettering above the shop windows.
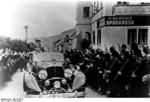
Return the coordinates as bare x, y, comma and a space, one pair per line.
125, 21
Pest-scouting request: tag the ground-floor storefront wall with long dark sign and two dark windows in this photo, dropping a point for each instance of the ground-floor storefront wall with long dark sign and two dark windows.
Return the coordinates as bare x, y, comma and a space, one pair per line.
115, 30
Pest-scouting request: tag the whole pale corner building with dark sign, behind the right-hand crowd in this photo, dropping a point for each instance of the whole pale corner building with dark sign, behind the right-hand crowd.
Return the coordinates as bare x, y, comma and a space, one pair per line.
113, 23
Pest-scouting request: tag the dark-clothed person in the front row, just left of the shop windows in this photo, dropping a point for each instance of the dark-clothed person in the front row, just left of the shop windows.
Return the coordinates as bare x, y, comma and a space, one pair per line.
117, 89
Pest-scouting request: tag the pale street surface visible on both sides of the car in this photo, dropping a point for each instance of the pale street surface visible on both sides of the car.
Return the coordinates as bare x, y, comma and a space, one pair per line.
14, 88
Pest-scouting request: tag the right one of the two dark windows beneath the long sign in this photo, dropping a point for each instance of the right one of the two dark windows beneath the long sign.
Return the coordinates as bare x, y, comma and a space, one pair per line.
142, 36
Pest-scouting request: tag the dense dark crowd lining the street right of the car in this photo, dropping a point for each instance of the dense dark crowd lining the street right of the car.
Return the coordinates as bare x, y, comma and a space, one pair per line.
115, 73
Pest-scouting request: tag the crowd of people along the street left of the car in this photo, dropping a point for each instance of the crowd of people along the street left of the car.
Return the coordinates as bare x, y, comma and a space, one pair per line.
10, 62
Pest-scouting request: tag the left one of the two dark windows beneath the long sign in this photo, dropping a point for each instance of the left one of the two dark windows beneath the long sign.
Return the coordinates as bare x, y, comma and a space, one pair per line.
132, 36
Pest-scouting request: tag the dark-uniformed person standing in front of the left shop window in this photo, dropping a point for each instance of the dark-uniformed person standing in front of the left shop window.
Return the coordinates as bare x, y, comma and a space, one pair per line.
134, 85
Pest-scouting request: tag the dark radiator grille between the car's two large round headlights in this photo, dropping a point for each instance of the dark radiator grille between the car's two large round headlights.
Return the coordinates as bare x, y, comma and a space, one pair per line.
55, 71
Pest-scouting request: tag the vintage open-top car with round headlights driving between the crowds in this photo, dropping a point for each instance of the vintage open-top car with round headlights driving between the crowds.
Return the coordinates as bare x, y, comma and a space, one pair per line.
46, 77
